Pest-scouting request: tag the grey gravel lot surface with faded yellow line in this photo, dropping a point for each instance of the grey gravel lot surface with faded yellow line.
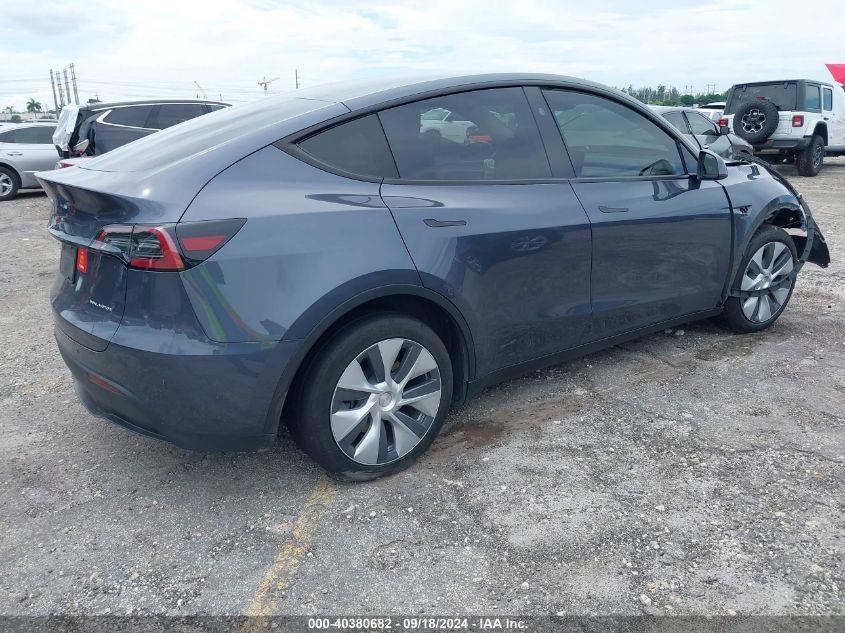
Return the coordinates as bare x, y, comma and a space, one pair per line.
689, 472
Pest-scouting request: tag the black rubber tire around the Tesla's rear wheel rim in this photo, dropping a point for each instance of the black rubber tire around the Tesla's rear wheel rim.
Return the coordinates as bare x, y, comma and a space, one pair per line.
310, 422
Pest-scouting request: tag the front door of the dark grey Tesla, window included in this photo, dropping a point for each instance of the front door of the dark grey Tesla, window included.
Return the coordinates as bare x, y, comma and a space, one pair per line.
661, 239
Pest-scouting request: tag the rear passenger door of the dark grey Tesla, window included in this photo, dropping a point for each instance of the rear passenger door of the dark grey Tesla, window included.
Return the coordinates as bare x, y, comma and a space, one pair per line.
489, 227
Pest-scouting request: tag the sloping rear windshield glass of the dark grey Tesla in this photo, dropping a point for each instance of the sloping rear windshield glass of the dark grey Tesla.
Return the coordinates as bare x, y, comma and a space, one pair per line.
199, 134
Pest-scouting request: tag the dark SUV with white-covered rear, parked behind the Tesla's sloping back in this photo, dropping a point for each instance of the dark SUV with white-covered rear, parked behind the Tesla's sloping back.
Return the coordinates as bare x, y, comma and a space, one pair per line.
98, 128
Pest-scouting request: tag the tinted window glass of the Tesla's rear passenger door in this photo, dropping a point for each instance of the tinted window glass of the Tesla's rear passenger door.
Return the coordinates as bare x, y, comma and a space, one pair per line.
478, 135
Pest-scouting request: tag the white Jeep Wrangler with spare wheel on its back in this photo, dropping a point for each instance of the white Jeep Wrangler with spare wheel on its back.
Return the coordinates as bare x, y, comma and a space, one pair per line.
797, 120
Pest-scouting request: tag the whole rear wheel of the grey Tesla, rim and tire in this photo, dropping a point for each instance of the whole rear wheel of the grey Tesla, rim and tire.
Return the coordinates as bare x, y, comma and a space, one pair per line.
374, 397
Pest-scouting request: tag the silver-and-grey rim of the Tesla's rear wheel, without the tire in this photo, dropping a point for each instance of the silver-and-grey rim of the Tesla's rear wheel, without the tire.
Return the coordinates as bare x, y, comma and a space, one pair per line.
385, 401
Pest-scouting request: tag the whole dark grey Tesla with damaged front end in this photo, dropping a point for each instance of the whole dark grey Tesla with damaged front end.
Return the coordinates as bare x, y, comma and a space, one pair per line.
318, 258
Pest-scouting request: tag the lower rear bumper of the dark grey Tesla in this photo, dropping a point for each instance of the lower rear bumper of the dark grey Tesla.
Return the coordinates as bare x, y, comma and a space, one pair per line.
222, 397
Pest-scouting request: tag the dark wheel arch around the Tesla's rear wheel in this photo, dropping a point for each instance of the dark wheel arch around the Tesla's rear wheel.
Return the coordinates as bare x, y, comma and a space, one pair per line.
417, 301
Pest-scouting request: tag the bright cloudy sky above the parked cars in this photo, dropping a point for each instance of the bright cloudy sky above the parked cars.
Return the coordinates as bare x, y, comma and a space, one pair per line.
156, 48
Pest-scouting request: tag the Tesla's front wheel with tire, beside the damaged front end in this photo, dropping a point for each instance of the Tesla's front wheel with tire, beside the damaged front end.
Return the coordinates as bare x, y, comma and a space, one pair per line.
768, 262
